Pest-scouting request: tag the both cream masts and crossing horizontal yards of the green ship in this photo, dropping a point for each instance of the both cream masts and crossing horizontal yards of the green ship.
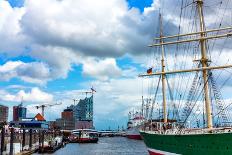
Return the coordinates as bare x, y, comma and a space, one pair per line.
200, 37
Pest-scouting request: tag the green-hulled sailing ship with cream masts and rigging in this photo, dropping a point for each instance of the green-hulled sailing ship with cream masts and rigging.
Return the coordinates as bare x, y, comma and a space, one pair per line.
200, 124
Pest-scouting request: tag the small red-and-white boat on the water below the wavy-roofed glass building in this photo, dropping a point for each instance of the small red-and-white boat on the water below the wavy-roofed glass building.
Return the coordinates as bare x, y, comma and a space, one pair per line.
84, 136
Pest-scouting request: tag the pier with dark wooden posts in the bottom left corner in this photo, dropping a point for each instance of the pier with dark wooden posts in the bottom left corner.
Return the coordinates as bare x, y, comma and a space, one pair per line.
30, 141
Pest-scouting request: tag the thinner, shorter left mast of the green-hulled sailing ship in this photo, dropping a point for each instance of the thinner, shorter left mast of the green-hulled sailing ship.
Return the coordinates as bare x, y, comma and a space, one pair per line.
163, 75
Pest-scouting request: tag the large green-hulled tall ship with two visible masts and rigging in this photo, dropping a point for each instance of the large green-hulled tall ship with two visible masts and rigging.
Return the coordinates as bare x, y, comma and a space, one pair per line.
193, 115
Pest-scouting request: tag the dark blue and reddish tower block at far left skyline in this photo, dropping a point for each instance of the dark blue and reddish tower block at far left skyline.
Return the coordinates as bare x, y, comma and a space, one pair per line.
19, 112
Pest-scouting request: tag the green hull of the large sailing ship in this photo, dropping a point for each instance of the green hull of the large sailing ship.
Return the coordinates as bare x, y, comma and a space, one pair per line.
194, 144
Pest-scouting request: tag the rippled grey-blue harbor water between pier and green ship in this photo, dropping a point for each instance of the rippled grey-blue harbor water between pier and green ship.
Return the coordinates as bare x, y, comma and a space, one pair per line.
105, 146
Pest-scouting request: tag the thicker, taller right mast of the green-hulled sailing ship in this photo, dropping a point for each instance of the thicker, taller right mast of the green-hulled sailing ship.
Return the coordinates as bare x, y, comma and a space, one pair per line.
204, 61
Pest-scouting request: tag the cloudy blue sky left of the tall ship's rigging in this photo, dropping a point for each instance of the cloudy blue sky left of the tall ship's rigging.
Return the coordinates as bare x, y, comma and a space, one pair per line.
52, 50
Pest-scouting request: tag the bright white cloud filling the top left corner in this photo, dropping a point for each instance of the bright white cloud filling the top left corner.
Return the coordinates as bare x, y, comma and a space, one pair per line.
13, 41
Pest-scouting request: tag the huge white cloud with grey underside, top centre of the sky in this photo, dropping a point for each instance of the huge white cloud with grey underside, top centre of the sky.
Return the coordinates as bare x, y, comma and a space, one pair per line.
90, 27
